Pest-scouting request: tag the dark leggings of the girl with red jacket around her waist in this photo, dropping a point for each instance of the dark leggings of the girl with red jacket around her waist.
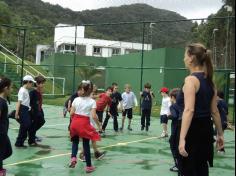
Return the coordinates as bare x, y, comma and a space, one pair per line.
86, 146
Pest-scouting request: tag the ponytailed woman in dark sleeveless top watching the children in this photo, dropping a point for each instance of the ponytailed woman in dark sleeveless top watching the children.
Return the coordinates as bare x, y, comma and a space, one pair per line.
198, 102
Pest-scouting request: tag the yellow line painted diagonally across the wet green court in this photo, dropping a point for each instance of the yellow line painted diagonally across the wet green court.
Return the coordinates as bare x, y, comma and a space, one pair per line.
66, 154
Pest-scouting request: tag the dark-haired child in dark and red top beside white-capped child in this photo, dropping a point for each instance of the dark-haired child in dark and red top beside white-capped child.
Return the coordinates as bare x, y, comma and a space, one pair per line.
37, 114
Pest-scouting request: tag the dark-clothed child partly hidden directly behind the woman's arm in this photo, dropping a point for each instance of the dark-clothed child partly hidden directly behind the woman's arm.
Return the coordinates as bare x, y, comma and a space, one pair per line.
174, 116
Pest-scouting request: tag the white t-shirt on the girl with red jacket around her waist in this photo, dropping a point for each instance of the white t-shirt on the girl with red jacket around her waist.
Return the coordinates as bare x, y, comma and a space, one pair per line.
84, 105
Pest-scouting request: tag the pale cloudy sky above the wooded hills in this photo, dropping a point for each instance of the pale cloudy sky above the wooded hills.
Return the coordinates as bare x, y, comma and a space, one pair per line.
190, 9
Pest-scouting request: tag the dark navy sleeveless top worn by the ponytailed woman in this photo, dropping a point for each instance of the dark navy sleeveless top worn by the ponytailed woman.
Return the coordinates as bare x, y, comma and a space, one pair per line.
203, 99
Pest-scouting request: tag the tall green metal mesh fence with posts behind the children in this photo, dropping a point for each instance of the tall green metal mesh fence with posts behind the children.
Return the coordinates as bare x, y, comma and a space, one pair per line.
129, 52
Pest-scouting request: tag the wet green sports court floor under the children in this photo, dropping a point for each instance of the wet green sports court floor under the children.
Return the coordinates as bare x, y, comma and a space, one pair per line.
133, 153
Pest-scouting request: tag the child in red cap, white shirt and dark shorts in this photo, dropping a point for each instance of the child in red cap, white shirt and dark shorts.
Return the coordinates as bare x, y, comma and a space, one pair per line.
165, 110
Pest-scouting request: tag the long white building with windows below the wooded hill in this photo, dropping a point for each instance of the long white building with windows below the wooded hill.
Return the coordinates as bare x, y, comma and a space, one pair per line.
64, 42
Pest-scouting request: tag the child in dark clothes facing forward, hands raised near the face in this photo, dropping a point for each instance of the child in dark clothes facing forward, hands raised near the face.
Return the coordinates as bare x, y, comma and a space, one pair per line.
147, 96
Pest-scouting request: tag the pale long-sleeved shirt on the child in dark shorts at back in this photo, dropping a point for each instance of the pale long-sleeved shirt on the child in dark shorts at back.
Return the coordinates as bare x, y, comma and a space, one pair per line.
129, 100
